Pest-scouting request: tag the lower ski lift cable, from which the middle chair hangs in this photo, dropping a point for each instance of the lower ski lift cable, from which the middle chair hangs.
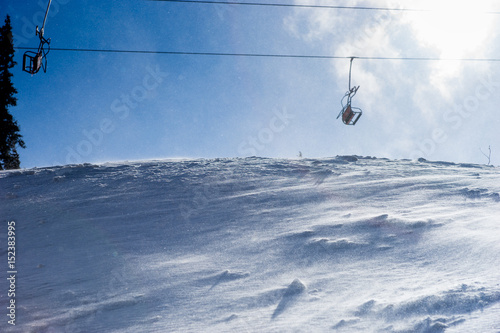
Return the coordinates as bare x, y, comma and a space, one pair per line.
267, 55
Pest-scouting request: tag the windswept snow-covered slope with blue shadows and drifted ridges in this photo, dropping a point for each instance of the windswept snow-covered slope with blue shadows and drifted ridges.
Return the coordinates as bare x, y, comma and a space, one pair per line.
346, 244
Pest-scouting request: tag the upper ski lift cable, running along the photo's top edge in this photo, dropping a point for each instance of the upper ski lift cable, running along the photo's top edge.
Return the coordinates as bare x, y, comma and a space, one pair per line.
239, 3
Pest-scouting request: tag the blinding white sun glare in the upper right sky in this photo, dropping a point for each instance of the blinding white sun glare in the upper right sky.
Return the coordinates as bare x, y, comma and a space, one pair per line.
456, 29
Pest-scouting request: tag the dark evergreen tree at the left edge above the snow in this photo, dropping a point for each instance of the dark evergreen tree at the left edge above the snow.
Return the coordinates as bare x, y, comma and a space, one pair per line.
10, 138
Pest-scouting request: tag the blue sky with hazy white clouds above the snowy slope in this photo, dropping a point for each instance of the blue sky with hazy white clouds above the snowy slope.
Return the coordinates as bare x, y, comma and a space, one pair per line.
94, 107
